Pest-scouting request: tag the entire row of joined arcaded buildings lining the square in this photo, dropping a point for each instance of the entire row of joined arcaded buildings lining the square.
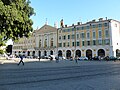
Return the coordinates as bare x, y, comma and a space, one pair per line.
94, 38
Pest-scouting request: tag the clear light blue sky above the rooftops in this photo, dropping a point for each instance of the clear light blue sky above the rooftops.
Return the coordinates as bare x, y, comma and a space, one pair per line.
73, 11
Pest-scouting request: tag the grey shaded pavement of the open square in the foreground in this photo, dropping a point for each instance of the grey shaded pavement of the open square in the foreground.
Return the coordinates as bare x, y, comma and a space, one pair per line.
65, 75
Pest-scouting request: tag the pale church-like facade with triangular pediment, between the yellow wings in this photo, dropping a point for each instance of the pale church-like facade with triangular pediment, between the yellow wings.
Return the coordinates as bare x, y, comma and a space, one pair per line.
46, 41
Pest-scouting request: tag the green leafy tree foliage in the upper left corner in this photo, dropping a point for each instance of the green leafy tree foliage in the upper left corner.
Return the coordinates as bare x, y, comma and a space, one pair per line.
15, 19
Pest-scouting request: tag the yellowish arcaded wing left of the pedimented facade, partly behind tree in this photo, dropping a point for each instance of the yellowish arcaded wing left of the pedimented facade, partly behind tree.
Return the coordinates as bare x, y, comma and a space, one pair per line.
25, 46
